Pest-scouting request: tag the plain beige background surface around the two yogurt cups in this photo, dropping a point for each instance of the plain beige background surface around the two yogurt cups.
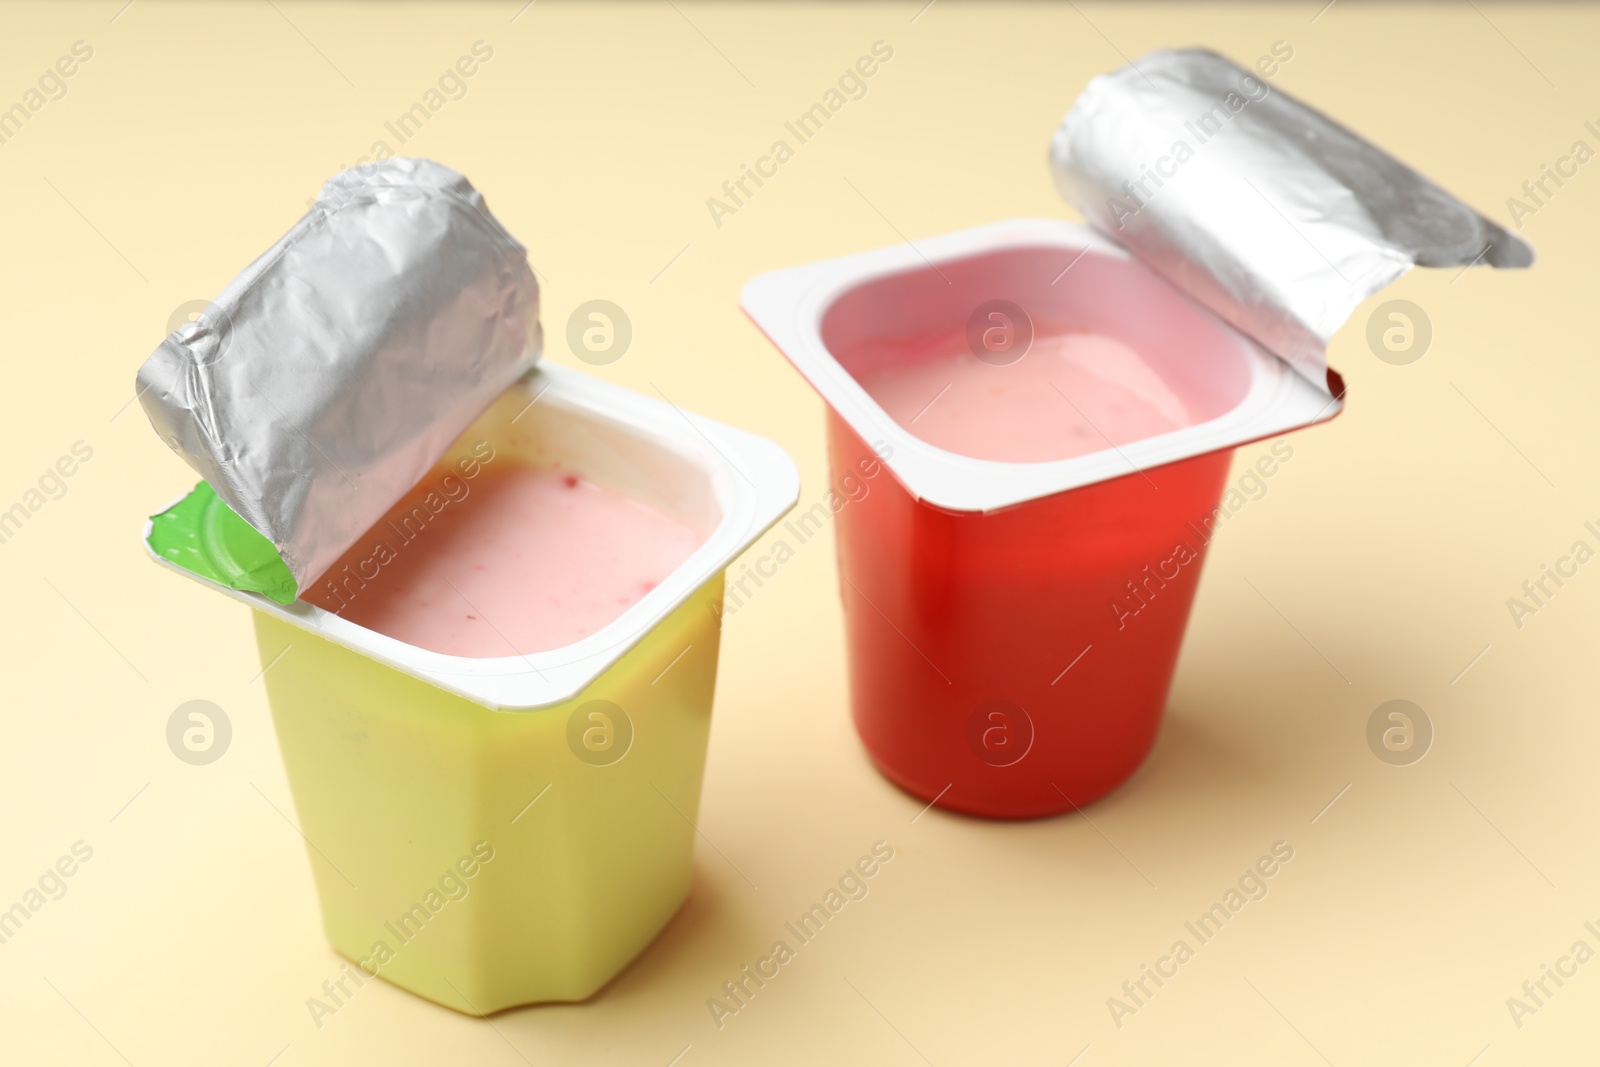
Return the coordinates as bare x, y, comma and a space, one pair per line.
1383, 553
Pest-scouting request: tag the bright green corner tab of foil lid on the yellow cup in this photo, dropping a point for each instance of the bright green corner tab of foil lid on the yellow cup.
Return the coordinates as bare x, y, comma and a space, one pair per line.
209, 540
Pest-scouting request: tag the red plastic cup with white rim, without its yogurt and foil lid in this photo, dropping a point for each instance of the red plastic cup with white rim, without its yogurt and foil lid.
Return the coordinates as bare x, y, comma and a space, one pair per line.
1014, 628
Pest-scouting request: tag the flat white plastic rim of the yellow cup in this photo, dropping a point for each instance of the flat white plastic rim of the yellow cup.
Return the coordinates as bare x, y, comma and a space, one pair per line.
754, 482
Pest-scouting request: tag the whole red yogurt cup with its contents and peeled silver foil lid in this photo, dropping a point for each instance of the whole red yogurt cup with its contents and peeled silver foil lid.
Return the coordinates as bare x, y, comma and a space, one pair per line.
1058, 409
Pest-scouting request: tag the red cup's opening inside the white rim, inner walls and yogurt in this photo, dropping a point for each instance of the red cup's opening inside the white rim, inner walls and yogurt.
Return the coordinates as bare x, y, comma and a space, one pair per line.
1036, 353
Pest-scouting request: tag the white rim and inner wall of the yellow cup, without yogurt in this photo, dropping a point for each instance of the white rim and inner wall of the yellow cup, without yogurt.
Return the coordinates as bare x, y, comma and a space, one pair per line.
726, 486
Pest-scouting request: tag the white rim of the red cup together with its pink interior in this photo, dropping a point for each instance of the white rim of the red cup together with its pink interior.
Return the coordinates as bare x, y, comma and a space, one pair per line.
1023, 359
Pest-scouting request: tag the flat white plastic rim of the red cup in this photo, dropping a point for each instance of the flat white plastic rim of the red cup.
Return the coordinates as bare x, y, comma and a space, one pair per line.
790, 308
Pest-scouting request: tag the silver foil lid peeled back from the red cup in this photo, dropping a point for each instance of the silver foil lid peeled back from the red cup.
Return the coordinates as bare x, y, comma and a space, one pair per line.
1255, 206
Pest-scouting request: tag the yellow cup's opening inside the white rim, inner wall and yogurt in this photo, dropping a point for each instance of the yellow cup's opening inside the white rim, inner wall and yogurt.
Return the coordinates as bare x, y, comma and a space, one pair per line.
540, 527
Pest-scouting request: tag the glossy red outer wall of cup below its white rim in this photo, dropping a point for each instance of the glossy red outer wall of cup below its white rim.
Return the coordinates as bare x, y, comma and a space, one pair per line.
1017, 665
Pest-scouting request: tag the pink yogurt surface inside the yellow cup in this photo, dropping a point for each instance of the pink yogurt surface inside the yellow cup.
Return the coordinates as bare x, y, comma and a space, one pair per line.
514, 561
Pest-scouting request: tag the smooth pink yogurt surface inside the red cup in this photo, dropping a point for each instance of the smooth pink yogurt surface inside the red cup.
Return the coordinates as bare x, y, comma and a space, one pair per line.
1071, 394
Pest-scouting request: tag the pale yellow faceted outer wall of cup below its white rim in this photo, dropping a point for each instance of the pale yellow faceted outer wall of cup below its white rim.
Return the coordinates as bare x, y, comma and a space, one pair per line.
396, 783
